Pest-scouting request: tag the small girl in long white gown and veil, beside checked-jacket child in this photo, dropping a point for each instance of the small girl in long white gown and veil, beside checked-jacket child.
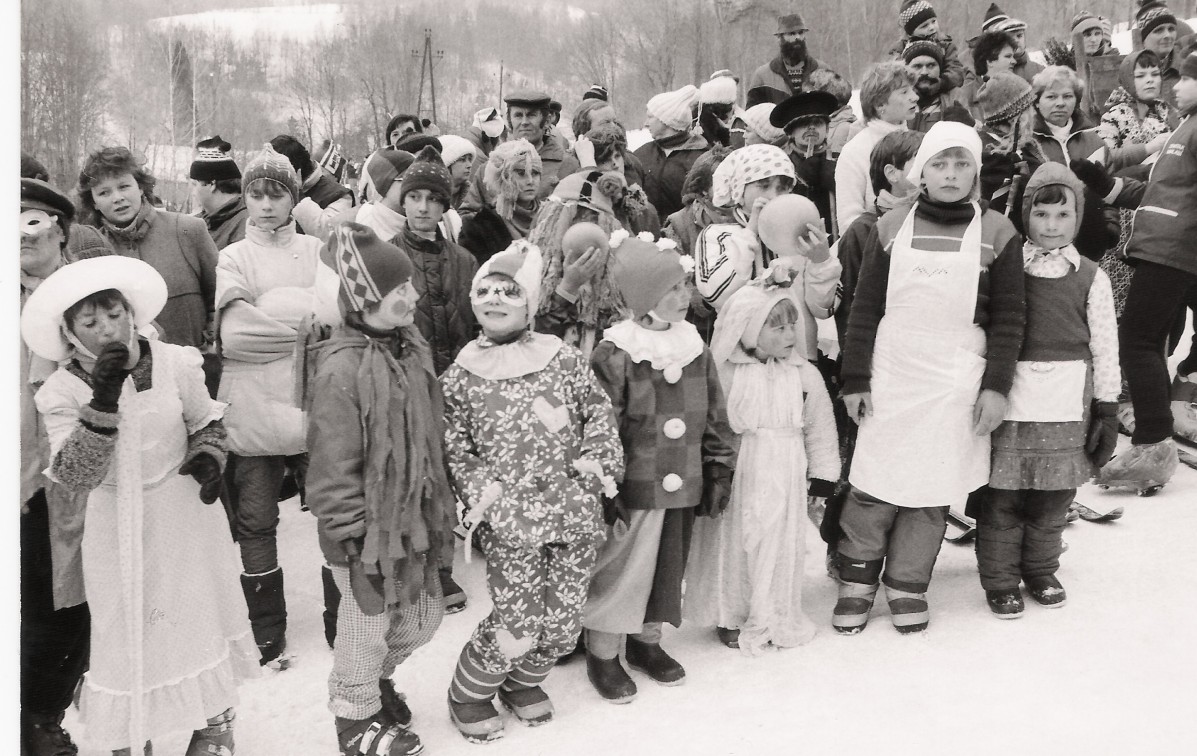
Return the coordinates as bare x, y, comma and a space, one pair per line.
746, 568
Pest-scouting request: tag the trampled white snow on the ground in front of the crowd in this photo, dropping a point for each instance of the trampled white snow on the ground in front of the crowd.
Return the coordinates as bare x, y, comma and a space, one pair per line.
1114, 673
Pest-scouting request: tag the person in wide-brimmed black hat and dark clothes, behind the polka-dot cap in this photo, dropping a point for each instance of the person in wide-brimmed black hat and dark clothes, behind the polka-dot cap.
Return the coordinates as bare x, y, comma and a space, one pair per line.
806, 118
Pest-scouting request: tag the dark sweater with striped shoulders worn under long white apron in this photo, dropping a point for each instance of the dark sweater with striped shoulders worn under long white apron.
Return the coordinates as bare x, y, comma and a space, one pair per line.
1001, 303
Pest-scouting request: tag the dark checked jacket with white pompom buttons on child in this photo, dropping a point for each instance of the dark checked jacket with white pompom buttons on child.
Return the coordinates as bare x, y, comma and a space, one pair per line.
643, 401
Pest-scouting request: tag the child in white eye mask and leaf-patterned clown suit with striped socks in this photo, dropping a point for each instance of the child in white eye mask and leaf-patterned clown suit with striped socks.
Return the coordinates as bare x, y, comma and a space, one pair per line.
531, 444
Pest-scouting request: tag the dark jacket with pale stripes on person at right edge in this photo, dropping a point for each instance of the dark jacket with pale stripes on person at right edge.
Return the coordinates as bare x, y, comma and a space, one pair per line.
1166, 221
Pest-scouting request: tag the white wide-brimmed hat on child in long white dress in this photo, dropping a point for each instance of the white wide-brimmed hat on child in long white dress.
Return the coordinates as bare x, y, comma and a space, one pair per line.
41, 320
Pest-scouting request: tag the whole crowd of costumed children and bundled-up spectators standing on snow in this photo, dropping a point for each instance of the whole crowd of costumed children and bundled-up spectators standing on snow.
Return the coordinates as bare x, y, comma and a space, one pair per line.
599, 368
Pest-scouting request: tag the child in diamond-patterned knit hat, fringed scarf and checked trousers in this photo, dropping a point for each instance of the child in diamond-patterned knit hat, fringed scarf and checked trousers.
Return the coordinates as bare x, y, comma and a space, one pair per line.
378, 484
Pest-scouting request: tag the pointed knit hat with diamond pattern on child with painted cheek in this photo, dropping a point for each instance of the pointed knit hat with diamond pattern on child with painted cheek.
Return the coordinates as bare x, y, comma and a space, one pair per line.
368, 267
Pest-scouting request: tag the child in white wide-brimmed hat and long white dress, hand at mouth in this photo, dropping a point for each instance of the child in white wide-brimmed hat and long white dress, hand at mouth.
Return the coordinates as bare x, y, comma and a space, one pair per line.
131, 422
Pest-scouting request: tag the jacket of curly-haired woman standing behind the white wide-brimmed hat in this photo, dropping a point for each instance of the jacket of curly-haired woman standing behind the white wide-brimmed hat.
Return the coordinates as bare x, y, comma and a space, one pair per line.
179, 248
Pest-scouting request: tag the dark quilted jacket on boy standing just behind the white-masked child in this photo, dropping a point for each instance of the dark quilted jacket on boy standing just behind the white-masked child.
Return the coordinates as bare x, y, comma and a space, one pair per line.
443, 276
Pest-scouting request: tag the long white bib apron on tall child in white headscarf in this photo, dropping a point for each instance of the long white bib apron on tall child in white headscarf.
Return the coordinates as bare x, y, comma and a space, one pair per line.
919, 448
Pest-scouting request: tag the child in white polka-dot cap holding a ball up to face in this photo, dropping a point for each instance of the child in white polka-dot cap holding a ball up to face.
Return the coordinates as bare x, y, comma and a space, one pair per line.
730, 255
